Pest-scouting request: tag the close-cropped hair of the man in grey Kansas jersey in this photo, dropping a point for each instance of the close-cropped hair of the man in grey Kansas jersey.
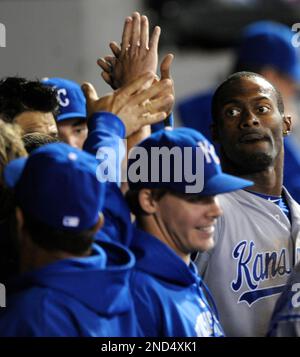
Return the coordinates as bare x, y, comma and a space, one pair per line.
235, 77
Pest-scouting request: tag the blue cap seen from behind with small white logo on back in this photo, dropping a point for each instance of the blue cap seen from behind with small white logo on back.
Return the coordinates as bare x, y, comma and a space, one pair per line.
57, 185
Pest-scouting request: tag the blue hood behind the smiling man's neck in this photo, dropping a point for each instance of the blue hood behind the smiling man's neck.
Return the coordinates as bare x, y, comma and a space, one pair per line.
156, 258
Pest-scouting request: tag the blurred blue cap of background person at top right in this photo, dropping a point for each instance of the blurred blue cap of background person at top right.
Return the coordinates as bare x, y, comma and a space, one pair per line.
269, 43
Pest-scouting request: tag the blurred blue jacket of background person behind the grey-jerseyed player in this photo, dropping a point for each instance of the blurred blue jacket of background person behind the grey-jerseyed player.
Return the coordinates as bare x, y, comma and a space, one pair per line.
195, 112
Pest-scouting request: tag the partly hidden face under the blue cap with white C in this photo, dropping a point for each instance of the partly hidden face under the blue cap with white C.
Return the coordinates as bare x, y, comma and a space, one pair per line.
73, 131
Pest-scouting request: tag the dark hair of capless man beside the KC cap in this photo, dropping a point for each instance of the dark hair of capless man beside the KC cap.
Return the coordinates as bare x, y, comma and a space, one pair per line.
18, 95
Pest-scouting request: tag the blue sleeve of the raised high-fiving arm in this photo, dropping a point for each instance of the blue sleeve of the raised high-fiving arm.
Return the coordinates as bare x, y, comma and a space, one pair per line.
105, 140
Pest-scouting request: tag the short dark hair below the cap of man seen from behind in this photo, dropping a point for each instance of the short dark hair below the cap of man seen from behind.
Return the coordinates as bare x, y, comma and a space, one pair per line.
53, 239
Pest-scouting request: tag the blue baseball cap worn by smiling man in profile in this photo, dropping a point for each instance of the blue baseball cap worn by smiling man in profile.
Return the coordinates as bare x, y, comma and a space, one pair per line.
187, 163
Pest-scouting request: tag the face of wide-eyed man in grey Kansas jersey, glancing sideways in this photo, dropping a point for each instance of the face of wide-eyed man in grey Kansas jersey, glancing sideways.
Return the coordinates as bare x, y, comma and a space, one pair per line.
250, 126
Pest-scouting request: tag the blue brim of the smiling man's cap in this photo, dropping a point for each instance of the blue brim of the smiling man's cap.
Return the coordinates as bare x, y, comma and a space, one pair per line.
224, 183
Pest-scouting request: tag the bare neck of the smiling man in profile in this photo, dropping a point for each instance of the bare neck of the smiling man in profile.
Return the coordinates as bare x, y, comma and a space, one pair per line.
154, 227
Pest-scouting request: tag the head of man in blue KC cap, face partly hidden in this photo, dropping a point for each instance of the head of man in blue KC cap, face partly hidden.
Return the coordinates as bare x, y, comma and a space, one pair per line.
71, 119
